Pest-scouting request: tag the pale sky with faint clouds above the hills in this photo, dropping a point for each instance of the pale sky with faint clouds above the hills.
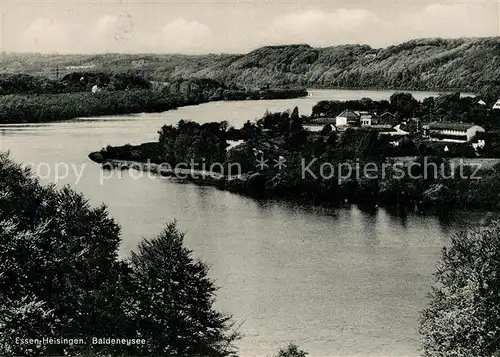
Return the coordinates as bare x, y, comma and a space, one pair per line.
233, 26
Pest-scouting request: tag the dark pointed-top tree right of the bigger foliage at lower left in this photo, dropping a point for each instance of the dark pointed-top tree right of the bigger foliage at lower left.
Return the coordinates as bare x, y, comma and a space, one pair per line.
173, 300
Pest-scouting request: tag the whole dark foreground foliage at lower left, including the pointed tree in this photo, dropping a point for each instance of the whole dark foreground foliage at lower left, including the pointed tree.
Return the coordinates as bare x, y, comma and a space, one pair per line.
60, 277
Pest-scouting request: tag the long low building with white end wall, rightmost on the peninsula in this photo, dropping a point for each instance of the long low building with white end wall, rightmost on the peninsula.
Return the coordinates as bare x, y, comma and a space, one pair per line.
453, 132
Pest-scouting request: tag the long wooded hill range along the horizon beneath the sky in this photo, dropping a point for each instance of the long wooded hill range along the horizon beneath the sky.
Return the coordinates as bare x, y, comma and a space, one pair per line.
425, 64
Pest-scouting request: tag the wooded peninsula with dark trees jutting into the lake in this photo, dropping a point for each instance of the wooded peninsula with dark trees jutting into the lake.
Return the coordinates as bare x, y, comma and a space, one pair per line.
284, 135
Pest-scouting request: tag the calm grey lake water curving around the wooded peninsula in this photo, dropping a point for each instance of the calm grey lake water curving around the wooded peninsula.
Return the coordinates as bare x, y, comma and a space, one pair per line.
343, 282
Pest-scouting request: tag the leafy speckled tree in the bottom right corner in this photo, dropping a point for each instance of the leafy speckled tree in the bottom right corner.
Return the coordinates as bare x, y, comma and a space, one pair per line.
463, 317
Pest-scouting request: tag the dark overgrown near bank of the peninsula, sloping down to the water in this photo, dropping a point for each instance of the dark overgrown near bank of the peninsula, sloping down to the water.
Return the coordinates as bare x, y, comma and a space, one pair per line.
389, 191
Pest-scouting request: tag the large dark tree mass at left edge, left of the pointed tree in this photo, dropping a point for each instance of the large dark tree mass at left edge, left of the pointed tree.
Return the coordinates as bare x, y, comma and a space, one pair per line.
59, 273
